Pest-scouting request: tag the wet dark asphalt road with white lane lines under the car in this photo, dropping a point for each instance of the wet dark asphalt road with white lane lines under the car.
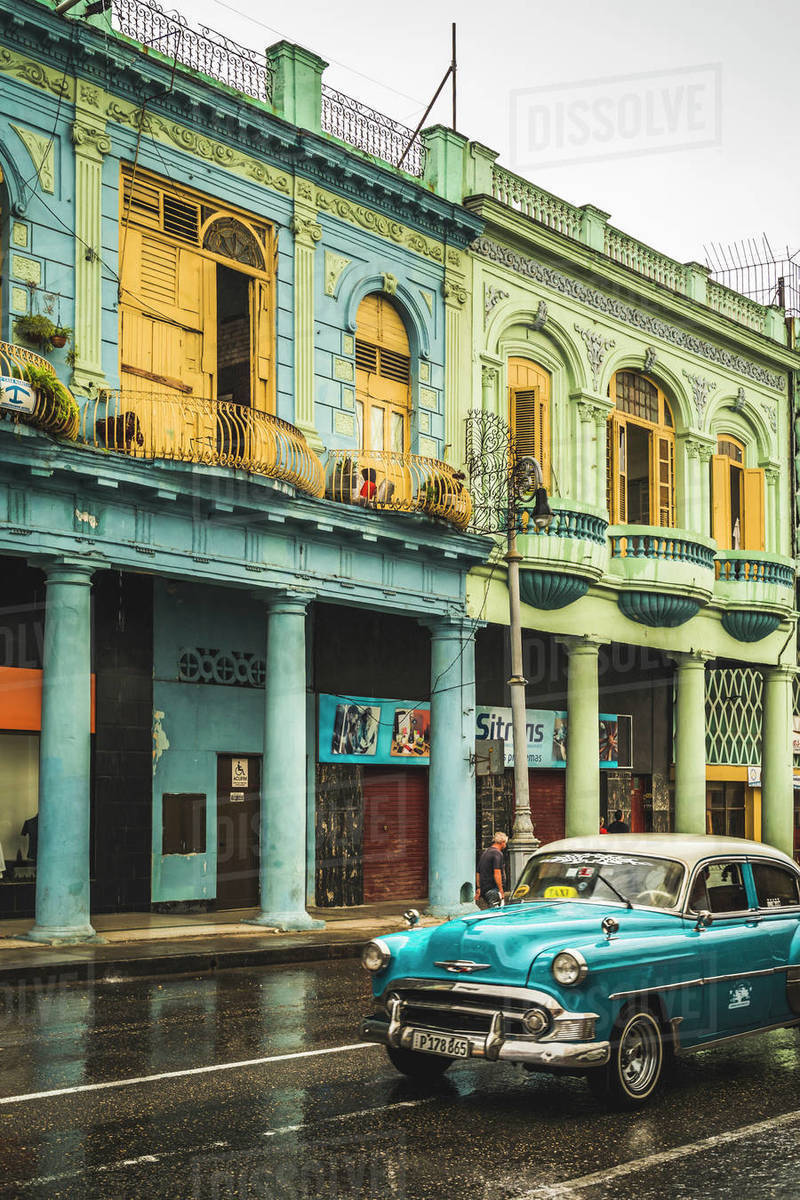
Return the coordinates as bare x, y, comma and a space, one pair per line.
344, 1124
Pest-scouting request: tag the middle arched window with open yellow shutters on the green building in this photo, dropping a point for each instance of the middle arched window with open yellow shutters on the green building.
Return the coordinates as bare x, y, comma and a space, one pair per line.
641, 470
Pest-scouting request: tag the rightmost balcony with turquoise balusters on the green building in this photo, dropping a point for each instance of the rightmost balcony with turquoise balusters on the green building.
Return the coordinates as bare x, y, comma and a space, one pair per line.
757, 591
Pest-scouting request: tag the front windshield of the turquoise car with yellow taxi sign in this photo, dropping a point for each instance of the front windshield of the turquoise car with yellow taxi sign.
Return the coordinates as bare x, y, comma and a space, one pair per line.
653, 883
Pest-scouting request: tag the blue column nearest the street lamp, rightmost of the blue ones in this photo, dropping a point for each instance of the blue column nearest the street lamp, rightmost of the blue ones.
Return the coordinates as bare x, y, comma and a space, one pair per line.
452, 781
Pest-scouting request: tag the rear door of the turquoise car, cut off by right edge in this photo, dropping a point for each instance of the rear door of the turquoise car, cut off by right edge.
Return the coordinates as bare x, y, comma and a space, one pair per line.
778, 896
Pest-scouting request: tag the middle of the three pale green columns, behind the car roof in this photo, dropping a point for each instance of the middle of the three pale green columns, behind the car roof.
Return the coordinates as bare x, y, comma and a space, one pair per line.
690, 742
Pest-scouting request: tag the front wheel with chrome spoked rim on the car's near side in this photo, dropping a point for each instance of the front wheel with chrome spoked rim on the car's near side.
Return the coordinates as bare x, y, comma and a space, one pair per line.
637, 1060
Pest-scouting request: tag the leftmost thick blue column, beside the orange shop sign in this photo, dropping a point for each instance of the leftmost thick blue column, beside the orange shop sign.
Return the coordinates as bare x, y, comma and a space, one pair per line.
65, 757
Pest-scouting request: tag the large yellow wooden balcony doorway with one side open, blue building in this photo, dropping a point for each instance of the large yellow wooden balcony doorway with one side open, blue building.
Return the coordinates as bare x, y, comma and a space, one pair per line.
196, 313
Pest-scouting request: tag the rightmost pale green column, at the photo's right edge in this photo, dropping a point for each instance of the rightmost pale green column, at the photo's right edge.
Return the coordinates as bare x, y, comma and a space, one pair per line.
778, 785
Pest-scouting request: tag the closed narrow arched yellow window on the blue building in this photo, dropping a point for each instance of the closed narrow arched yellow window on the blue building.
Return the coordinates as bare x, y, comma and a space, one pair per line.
383, 376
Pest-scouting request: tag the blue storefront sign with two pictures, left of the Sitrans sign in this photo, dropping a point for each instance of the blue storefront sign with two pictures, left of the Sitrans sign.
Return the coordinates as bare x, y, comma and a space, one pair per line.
374, 733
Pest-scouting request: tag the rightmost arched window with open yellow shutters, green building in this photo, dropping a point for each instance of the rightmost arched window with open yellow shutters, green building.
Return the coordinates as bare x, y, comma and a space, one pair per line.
737, 499
